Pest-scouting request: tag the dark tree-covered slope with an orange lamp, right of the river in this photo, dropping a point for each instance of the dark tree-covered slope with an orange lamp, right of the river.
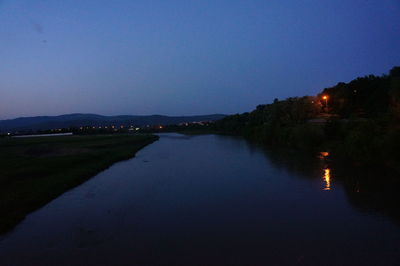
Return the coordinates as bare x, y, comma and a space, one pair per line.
356, 122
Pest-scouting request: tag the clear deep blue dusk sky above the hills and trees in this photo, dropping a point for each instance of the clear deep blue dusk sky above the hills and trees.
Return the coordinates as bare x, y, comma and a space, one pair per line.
185, 57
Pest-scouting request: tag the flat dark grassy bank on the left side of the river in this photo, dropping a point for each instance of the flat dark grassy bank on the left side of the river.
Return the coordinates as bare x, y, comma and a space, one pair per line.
36, 170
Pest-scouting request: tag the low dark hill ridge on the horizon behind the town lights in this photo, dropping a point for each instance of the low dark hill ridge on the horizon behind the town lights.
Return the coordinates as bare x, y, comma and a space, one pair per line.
77, 120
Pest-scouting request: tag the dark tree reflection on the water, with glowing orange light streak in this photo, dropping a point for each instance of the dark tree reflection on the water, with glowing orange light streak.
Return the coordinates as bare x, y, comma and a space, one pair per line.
368, 189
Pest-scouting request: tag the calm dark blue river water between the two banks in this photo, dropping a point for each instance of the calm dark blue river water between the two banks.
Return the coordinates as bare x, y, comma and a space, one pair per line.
210, 200
